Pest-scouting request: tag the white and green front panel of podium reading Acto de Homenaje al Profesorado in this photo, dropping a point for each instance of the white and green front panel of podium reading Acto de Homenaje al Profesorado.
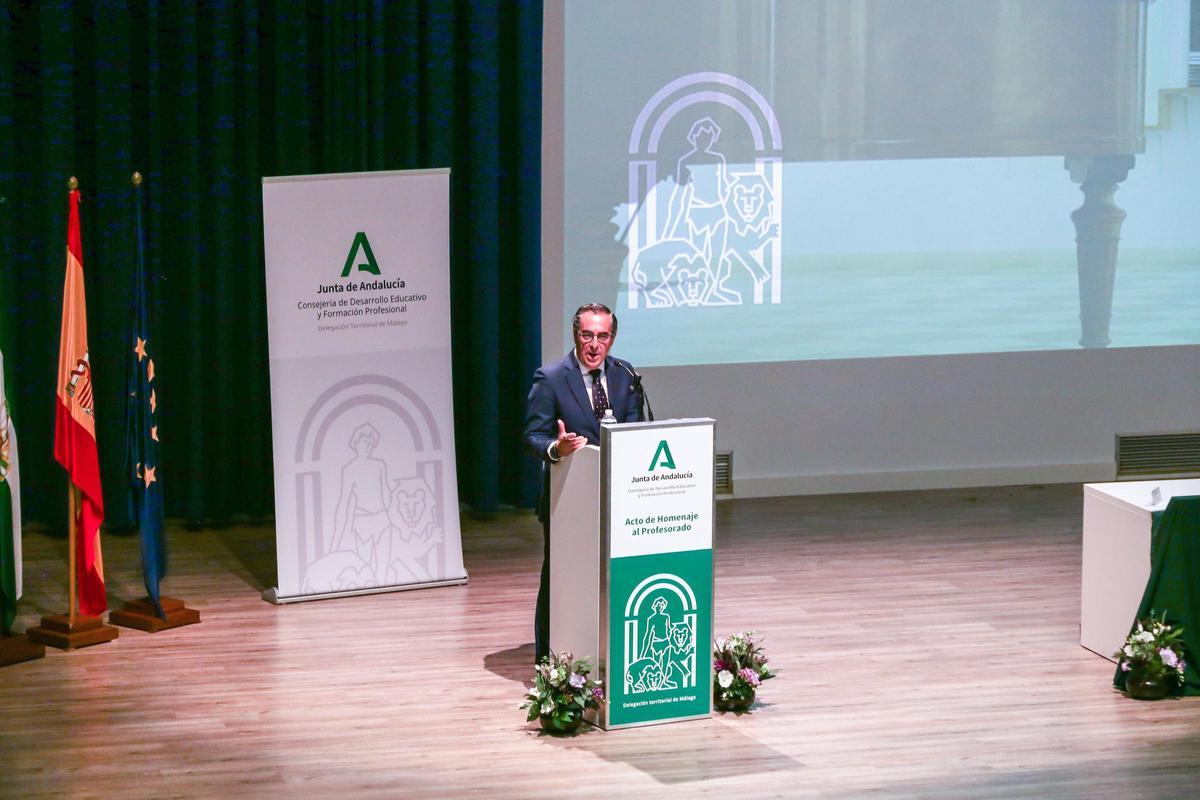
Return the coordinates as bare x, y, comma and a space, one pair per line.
658, 516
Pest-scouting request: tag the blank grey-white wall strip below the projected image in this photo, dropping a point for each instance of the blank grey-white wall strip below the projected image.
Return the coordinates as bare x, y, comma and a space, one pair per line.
933, 422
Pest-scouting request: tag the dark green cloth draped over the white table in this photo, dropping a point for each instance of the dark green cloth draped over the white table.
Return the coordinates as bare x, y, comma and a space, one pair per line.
1174, 584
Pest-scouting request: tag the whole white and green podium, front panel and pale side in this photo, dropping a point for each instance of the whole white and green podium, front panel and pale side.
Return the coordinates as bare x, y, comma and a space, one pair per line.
632, 568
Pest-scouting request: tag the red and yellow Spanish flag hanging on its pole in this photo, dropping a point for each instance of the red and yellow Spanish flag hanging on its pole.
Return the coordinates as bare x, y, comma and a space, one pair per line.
75, 425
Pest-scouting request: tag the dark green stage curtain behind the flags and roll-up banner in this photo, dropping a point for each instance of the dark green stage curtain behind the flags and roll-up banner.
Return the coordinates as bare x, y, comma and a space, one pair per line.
205, 99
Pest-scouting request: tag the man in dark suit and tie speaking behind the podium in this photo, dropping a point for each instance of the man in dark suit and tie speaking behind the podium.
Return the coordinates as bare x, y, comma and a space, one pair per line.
567, 402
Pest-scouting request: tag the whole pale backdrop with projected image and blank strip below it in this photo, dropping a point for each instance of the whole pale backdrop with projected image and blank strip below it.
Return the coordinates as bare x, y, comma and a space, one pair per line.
962, 196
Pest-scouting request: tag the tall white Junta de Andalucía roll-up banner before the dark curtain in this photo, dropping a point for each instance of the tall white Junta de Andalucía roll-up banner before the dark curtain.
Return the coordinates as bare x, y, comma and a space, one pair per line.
358, 294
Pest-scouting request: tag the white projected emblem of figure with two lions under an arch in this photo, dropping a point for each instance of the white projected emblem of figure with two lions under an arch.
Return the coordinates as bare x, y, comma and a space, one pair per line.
719, 225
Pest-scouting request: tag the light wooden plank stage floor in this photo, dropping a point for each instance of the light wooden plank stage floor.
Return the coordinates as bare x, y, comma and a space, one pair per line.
927, 646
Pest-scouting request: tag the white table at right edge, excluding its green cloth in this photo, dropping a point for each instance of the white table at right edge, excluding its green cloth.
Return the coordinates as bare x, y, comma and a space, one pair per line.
1117, 556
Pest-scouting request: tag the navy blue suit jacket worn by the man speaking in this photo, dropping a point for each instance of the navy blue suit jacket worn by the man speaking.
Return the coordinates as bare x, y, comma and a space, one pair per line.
559, 394
